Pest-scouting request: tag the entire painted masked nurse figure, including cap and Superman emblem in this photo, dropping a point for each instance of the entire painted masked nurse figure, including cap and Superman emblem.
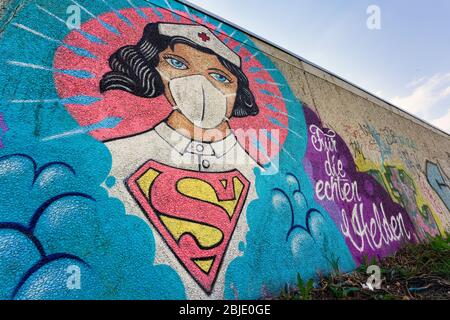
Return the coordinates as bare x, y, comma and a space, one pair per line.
188, 176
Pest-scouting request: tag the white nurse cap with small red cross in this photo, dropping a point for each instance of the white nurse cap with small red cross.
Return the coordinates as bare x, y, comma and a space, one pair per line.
202, 36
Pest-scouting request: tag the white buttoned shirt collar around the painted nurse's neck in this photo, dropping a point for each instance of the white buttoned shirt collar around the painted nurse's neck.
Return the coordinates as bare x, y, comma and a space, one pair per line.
183, 144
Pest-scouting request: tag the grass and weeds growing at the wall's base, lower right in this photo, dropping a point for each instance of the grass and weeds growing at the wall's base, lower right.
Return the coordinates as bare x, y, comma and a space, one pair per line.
416, 272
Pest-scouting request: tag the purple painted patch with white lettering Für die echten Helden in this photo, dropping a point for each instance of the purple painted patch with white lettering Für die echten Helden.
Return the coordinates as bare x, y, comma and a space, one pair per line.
374, 225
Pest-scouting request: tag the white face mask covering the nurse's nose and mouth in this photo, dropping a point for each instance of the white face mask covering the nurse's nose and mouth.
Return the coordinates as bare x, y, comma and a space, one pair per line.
199, 101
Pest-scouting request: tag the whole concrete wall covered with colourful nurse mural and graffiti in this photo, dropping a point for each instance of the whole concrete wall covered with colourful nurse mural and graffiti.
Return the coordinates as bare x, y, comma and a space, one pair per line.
146, 156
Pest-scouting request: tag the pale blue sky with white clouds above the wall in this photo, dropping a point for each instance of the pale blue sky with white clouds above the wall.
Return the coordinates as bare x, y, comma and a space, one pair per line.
406, 61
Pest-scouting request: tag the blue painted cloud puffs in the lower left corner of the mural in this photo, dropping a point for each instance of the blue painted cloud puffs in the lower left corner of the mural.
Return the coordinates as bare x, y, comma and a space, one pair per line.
48, 225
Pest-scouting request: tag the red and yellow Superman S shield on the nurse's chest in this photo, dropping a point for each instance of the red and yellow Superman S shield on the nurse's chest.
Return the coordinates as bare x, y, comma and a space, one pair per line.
195, 212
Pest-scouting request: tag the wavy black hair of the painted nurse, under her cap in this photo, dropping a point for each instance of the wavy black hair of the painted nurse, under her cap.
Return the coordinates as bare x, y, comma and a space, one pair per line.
134, 70
